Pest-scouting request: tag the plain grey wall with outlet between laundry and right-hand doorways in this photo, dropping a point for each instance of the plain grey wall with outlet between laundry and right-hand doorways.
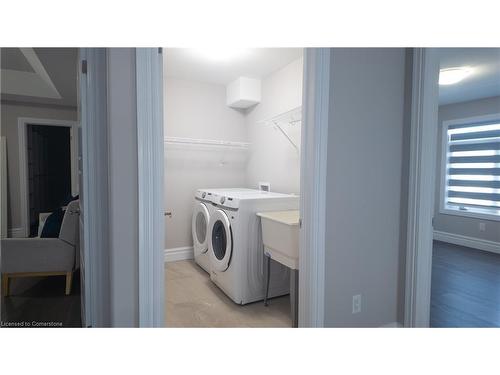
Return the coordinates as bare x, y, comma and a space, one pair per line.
364, 185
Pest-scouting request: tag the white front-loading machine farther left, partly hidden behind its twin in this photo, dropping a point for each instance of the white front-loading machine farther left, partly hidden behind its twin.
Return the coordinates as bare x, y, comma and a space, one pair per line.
199, 224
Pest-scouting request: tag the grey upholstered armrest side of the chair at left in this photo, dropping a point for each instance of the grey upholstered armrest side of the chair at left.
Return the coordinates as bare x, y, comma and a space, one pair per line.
36, 255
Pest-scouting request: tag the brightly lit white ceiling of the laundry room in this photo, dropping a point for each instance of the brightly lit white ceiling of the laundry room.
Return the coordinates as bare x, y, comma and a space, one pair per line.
223, 66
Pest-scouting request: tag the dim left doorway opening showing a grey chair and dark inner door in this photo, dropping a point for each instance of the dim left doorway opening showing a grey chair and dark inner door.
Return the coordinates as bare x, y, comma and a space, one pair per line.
40, 259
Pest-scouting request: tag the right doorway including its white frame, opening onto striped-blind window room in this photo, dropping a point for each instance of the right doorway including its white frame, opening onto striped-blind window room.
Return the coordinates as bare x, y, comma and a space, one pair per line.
453, 258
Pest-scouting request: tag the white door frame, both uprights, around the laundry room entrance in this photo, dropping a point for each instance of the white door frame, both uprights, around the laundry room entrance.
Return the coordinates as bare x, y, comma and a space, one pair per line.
314, 143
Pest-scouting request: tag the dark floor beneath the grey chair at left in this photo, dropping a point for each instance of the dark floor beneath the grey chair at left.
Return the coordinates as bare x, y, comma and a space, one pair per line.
41, 299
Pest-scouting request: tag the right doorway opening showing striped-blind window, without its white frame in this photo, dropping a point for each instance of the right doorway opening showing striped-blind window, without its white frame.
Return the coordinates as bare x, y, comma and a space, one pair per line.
465, 282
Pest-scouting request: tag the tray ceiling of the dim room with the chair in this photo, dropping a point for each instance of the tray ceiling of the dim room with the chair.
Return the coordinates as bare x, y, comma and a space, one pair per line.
39, 75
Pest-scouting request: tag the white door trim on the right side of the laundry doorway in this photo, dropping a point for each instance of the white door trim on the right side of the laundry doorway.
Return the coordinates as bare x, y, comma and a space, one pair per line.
316, 100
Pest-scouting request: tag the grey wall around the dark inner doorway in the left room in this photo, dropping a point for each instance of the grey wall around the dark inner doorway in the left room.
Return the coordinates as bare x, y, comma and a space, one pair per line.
10, 113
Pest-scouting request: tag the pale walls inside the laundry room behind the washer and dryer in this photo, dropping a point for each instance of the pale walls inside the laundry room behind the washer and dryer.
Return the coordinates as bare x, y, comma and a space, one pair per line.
199, 110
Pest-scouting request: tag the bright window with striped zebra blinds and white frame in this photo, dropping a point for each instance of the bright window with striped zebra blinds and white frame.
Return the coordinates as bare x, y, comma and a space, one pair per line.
471, 153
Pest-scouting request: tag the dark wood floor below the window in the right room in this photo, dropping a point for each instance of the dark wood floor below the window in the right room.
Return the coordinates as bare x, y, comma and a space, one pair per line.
465, 287
